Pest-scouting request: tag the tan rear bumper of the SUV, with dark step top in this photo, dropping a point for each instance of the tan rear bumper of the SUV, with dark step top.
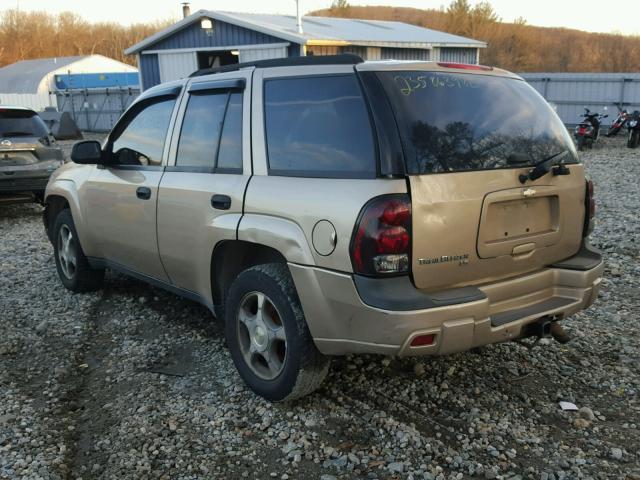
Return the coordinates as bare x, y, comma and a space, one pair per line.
341, 322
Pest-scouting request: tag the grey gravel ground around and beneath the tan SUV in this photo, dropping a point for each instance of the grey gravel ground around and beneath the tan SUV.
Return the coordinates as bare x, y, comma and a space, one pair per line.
133, 382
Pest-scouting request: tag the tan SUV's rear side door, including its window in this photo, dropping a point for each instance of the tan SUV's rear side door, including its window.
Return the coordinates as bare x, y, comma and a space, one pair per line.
201, 193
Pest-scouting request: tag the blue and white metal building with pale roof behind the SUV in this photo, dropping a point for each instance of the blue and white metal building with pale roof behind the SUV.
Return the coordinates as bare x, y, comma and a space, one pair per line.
212, 38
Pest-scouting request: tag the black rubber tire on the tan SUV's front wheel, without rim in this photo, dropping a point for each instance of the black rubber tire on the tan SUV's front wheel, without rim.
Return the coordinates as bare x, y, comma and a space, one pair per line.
83, 278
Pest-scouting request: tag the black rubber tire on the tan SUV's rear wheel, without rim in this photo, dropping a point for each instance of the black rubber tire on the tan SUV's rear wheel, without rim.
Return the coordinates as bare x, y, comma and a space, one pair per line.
303, 366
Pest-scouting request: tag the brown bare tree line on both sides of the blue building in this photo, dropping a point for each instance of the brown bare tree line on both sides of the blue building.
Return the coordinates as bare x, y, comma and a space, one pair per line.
515, 46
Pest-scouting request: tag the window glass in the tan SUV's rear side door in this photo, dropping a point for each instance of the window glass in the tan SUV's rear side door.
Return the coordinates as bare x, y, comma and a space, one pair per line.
211, 135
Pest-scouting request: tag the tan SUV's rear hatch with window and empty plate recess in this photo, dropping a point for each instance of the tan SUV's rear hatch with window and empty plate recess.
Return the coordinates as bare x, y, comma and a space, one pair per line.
467, 138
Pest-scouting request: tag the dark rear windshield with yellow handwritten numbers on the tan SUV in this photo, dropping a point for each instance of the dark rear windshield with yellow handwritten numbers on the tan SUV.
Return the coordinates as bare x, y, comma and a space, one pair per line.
456, 122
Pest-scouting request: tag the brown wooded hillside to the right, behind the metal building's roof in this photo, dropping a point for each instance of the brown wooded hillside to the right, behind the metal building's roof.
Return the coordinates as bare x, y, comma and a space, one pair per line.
514, 46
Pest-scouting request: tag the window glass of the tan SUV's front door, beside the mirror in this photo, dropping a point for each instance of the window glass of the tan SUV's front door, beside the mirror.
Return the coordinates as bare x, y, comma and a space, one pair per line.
142, 140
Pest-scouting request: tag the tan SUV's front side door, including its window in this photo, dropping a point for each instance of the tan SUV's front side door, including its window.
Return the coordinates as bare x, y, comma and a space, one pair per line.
121, 198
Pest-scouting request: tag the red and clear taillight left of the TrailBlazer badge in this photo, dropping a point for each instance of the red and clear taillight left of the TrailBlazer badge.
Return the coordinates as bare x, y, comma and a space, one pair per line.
381, 242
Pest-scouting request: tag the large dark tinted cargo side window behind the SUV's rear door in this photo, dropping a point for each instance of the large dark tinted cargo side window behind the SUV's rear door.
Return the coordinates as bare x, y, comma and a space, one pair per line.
318, 127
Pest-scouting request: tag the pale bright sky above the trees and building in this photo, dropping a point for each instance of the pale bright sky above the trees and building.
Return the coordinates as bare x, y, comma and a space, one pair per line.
589, 15
